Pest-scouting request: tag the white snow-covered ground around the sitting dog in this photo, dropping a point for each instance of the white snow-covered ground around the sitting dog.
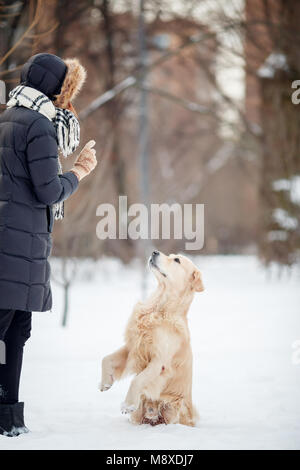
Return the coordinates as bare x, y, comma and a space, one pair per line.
246, 386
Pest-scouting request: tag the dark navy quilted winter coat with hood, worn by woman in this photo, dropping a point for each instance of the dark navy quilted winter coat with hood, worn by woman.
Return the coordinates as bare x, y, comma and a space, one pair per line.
29, 185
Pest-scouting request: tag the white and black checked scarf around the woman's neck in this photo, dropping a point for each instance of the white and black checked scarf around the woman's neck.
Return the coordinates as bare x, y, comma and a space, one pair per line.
65, 122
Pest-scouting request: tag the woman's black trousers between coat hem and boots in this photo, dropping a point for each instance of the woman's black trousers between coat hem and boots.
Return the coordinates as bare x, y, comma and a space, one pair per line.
15, 327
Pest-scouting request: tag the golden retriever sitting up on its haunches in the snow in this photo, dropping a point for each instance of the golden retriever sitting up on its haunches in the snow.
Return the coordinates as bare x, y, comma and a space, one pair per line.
157, 347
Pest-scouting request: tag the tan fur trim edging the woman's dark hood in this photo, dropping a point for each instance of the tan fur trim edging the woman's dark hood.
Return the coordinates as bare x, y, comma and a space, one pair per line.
72, 84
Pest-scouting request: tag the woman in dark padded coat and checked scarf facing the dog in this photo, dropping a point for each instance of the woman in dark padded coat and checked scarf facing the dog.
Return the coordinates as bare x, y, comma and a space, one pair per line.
40, 119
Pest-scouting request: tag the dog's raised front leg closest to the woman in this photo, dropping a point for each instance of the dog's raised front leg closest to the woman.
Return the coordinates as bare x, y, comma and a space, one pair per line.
113, 366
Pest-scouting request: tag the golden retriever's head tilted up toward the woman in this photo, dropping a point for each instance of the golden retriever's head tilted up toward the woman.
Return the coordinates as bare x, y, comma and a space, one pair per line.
176, 272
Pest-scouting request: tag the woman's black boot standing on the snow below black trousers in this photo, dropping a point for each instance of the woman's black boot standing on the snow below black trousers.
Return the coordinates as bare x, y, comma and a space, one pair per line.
12, 420
